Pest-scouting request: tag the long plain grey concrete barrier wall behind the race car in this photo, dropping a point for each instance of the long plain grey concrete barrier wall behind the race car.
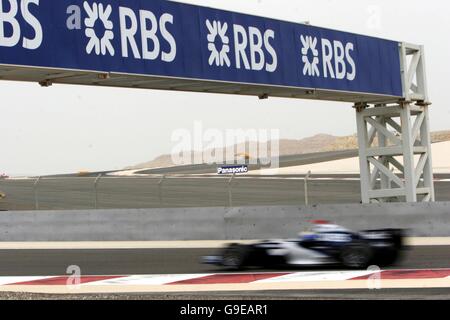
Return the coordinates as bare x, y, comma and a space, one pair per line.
431, 219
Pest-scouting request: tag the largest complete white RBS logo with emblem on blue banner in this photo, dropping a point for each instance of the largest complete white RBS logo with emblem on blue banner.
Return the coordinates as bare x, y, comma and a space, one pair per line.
152, 31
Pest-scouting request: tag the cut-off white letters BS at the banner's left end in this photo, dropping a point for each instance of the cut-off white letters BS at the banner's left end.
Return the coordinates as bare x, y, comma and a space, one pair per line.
10, 31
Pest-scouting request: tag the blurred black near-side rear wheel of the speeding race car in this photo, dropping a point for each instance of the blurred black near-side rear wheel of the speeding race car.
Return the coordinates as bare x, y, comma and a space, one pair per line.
356, 255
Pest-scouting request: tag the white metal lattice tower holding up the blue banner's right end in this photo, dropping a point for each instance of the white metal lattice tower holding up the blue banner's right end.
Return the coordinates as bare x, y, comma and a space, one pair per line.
394, 139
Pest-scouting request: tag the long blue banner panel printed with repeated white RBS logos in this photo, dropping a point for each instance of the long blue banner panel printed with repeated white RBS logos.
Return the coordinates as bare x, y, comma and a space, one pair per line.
164, 38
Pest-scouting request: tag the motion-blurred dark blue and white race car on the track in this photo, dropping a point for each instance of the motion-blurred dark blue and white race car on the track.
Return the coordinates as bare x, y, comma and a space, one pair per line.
326, 244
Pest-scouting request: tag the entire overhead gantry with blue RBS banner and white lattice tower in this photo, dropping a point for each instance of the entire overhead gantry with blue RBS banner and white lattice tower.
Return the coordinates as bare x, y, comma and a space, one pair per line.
172, 46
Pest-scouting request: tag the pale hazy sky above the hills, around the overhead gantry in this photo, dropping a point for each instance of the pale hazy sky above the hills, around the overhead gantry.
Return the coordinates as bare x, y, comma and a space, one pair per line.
71, 128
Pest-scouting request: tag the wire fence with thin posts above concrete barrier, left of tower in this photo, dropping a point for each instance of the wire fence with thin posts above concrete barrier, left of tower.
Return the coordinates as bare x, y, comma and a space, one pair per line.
171, 191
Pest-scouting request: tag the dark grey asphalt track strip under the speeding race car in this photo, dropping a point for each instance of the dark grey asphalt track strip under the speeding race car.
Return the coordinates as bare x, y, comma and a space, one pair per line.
160, 261
